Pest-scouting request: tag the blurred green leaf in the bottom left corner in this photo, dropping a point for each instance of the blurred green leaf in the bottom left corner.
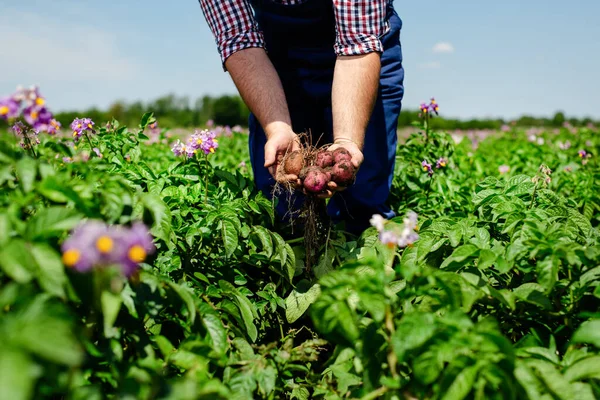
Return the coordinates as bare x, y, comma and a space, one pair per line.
17, 374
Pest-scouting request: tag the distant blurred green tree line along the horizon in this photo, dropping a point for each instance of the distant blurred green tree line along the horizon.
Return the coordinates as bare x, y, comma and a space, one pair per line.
179, 111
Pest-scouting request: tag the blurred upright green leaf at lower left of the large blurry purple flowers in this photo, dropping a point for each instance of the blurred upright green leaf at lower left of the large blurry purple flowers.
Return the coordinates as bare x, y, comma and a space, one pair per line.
51, 273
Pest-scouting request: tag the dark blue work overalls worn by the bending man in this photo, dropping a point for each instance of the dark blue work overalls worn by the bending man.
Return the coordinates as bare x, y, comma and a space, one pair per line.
300, 40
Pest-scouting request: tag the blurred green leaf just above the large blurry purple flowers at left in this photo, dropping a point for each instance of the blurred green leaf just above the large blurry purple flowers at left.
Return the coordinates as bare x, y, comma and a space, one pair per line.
52, 222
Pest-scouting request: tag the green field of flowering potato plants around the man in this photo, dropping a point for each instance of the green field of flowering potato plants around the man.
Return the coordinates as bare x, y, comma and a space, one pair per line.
128, 271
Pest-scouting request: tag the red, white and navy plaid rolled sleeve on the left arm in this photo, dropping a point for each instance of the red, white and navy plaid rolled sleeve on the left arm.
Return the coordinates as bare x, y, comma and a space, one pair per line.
233, 26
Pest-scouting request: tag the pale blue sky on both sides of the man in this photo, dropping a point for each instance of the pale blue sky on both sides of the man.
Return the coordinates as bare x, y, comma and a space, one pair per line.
478, 58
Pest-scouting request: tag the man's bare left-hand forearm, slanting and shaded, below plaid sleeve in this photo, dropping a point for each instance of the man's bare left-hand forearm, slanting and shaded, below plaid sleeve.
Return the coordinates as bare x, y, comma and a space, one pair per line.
260, 87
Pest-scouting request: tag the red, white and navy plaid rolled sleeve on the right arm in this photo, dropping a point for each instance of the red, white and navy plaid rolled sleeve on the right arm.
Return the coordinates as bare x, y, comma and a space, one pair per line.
359, 26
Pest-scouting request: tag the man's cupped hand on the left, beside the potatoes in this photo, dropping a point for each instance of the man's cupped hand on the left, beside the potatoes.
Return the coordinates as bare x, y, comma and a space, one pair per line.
278, 144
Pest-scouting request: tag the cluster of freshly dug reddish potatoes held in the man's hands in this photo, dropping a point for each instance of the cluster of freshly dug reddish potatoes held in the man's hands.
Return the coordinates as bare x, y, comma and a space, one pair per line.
316, 170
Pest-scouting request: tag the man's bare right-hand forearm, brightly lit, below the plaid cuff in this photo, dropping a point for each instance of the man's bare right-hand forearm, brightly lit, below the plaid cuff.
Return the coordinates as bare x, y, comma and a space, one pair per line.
355, 86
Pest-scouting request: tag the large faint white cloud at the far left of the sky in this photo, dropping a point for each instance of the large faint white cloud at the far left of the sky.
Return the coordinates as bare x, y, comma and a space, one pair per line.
38, 49
